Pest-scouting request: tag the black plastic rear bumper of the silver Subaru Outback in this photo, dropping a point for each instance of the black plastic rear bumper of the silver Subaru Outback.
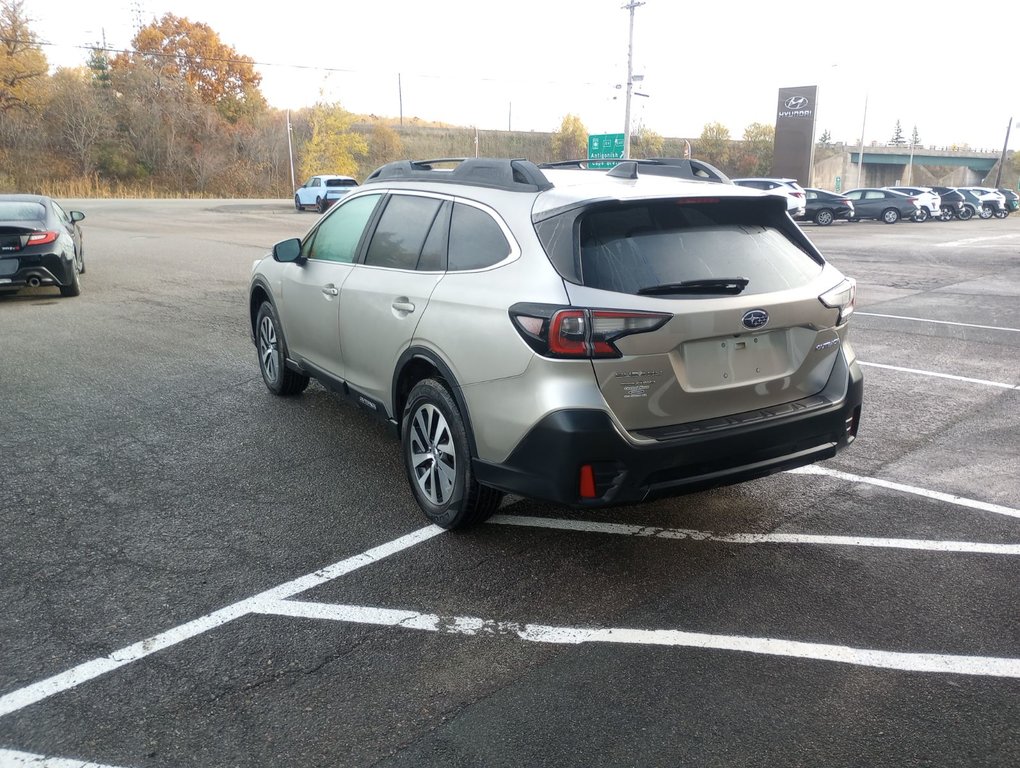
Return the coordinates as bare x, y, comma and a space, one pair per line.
697, 456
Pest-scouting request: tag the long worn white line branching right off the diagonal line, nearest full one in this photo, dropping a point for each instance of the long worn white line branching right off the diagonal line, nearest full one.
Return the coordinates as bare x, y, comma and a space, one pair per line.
474, 626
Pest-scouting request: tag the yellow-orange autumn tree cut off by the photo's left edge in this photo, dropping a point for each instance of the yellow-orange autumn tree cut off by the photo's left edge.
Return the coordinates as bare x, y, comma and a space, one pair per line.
23, 65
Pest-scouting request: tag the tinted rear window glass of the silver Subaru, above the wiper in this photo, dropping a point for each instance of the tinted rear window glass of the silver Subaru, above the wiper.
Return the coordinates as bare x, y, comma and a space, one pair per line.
630, 247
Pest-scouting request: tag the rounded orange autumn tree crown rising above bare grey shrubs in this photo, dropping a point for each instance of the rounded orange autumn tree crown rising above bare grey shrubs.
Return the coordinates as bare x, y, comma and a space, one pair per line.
194, 53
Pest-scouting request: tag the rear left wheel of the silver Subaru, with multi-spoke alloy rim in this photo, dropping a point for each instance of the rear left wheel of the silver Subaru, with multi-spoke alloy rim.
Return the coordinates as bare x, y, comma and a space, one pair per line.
438, 459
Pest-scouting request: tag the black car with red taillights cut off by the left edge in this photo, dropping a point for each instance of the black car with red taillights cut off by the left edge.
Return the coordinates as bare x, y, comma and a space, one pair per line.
40, 245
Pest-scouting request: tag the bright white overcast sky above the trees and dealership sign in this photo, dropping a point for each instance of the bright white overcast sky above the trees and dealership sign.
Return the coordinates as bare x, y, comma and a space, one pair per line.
527, 64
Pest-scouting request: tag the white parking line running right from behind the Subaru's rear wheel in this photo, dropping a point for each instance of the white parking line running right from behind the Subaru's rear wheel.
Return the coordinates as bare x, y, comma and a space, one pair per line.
622, 530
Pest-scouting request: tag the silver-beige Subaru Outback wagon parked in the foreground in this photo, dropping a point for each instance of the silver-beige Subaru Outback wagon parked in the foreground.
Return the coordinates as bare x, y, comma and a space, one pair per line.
580, 337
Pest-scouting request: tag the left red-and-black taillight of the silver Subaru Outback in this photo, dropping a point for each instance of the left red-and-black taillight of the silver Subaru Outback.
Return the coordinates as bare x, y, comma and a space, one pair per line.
581, 333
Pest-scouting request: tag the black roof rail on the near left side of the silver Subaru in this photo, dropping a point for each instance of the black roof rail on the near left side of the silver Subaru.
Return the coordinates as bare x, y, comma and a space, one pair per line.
516, 175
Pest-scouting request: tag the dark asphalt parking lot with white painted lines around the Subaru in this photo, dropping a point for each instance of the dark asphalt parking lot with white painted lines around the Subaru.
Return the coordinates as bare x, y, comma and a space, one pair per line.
196, 574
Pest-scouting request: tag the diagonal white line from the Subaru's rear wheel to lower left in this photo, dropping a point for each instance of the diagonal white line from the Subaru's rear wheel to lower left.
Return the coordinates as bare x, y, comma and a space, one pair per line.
91, 670
